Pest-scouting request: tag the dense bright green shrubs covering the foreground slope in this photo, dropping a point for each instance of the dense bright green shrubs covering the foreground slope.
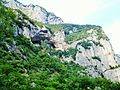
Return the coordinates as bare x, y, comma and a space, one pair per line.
26, 67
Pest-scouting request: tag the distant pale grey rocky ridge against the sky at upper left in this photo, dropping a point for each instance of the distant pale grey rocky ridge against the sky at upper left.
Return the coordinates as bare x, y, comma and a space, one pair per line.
35, 12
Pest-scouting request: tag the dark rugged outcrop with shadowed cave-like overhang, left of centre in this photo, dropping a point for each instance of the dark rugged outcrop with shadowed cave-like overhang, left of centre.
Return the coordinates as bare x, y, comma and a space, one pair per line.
25, 26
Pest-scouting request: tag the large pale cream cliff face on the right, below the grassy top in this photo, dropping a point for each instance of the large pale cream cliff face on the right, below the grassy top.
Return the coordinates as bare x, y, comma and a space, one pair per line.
97, 56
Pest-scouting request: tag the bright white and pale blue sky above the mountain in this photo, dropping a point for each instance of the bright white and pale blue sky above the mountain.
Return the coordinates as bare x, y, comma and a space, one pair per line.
98, 12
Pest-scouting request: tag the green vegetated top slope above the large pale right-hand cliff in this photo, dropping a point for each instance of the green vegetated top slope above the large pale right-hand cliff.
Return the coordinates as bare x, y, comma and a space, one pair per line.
81, 32
